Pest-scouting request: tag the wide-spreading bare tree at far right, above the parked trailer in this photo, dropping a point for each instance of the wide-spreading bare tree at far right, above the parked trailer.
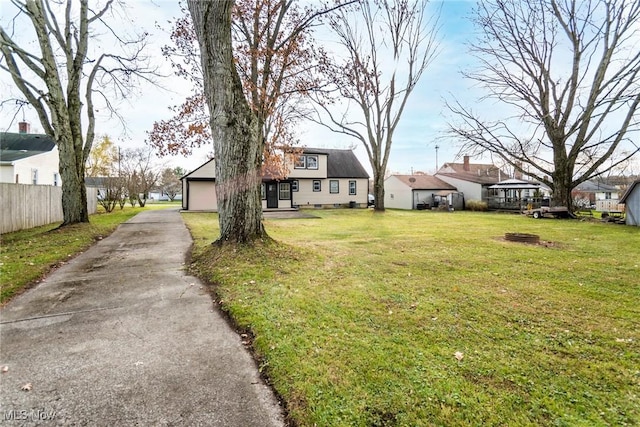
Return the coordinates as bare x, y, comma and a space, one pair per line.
570, 71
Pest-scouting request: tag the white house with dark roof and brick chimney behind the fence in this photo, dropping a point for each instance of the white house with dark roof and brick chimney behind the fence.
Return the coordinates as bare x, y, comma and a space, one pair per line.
27, 158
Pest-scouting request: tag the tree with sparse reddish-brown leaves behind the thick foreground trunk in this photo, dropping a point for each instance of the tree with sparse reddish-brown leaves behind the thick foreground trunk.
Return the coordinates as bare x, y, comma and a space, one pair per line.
274, 57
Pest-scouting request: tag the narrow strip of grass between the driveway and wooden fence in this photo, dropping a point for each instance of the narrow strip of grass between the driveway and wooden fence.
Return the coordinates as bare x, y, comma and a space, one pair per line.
27, 255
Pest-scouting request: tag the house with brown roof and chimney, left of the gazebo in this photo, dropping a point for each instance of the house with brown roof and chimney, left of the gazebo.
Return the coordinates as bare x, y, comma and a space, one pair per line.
471, 179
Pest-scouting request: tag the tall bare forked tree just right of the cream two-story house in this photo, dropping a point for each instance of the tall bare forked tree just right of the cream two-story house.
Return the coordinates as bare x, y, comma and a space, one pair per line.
388, 46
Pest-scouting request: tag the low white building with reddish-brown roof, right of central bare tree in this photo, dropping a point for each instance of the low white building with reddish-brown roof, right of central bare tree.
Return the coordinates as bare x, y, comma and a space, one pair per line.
418, 192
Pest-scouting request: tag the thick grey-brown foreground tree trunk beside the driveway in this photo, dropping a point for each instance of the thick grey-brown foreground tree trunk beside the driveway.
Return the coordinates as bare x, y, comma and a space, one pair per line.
235, 129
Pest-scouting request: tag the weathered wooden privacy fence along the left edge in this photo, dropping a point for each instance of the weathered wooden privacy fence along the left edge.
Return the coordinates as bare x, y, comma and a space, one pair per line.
25, 206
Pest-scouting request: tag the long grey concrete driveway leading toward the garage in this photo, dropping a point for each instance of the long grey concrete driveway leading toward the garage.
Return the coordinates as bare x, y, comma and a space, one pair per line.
120, 336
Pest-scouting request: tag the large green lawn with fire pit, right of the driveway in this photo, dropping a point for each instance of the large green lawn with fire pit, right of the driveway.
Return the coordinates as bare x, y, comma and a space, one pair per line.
357, 317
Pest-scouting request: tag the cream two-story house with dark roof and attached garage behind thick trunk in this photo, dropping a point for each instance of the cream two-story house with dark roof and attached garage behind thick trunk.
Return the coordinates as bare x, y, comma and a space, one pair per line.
317, 178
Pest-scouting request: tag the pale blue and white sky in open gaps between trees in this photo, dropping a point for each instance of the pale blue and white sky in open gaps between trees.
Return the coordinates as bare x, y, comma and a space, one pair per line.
415, 139
